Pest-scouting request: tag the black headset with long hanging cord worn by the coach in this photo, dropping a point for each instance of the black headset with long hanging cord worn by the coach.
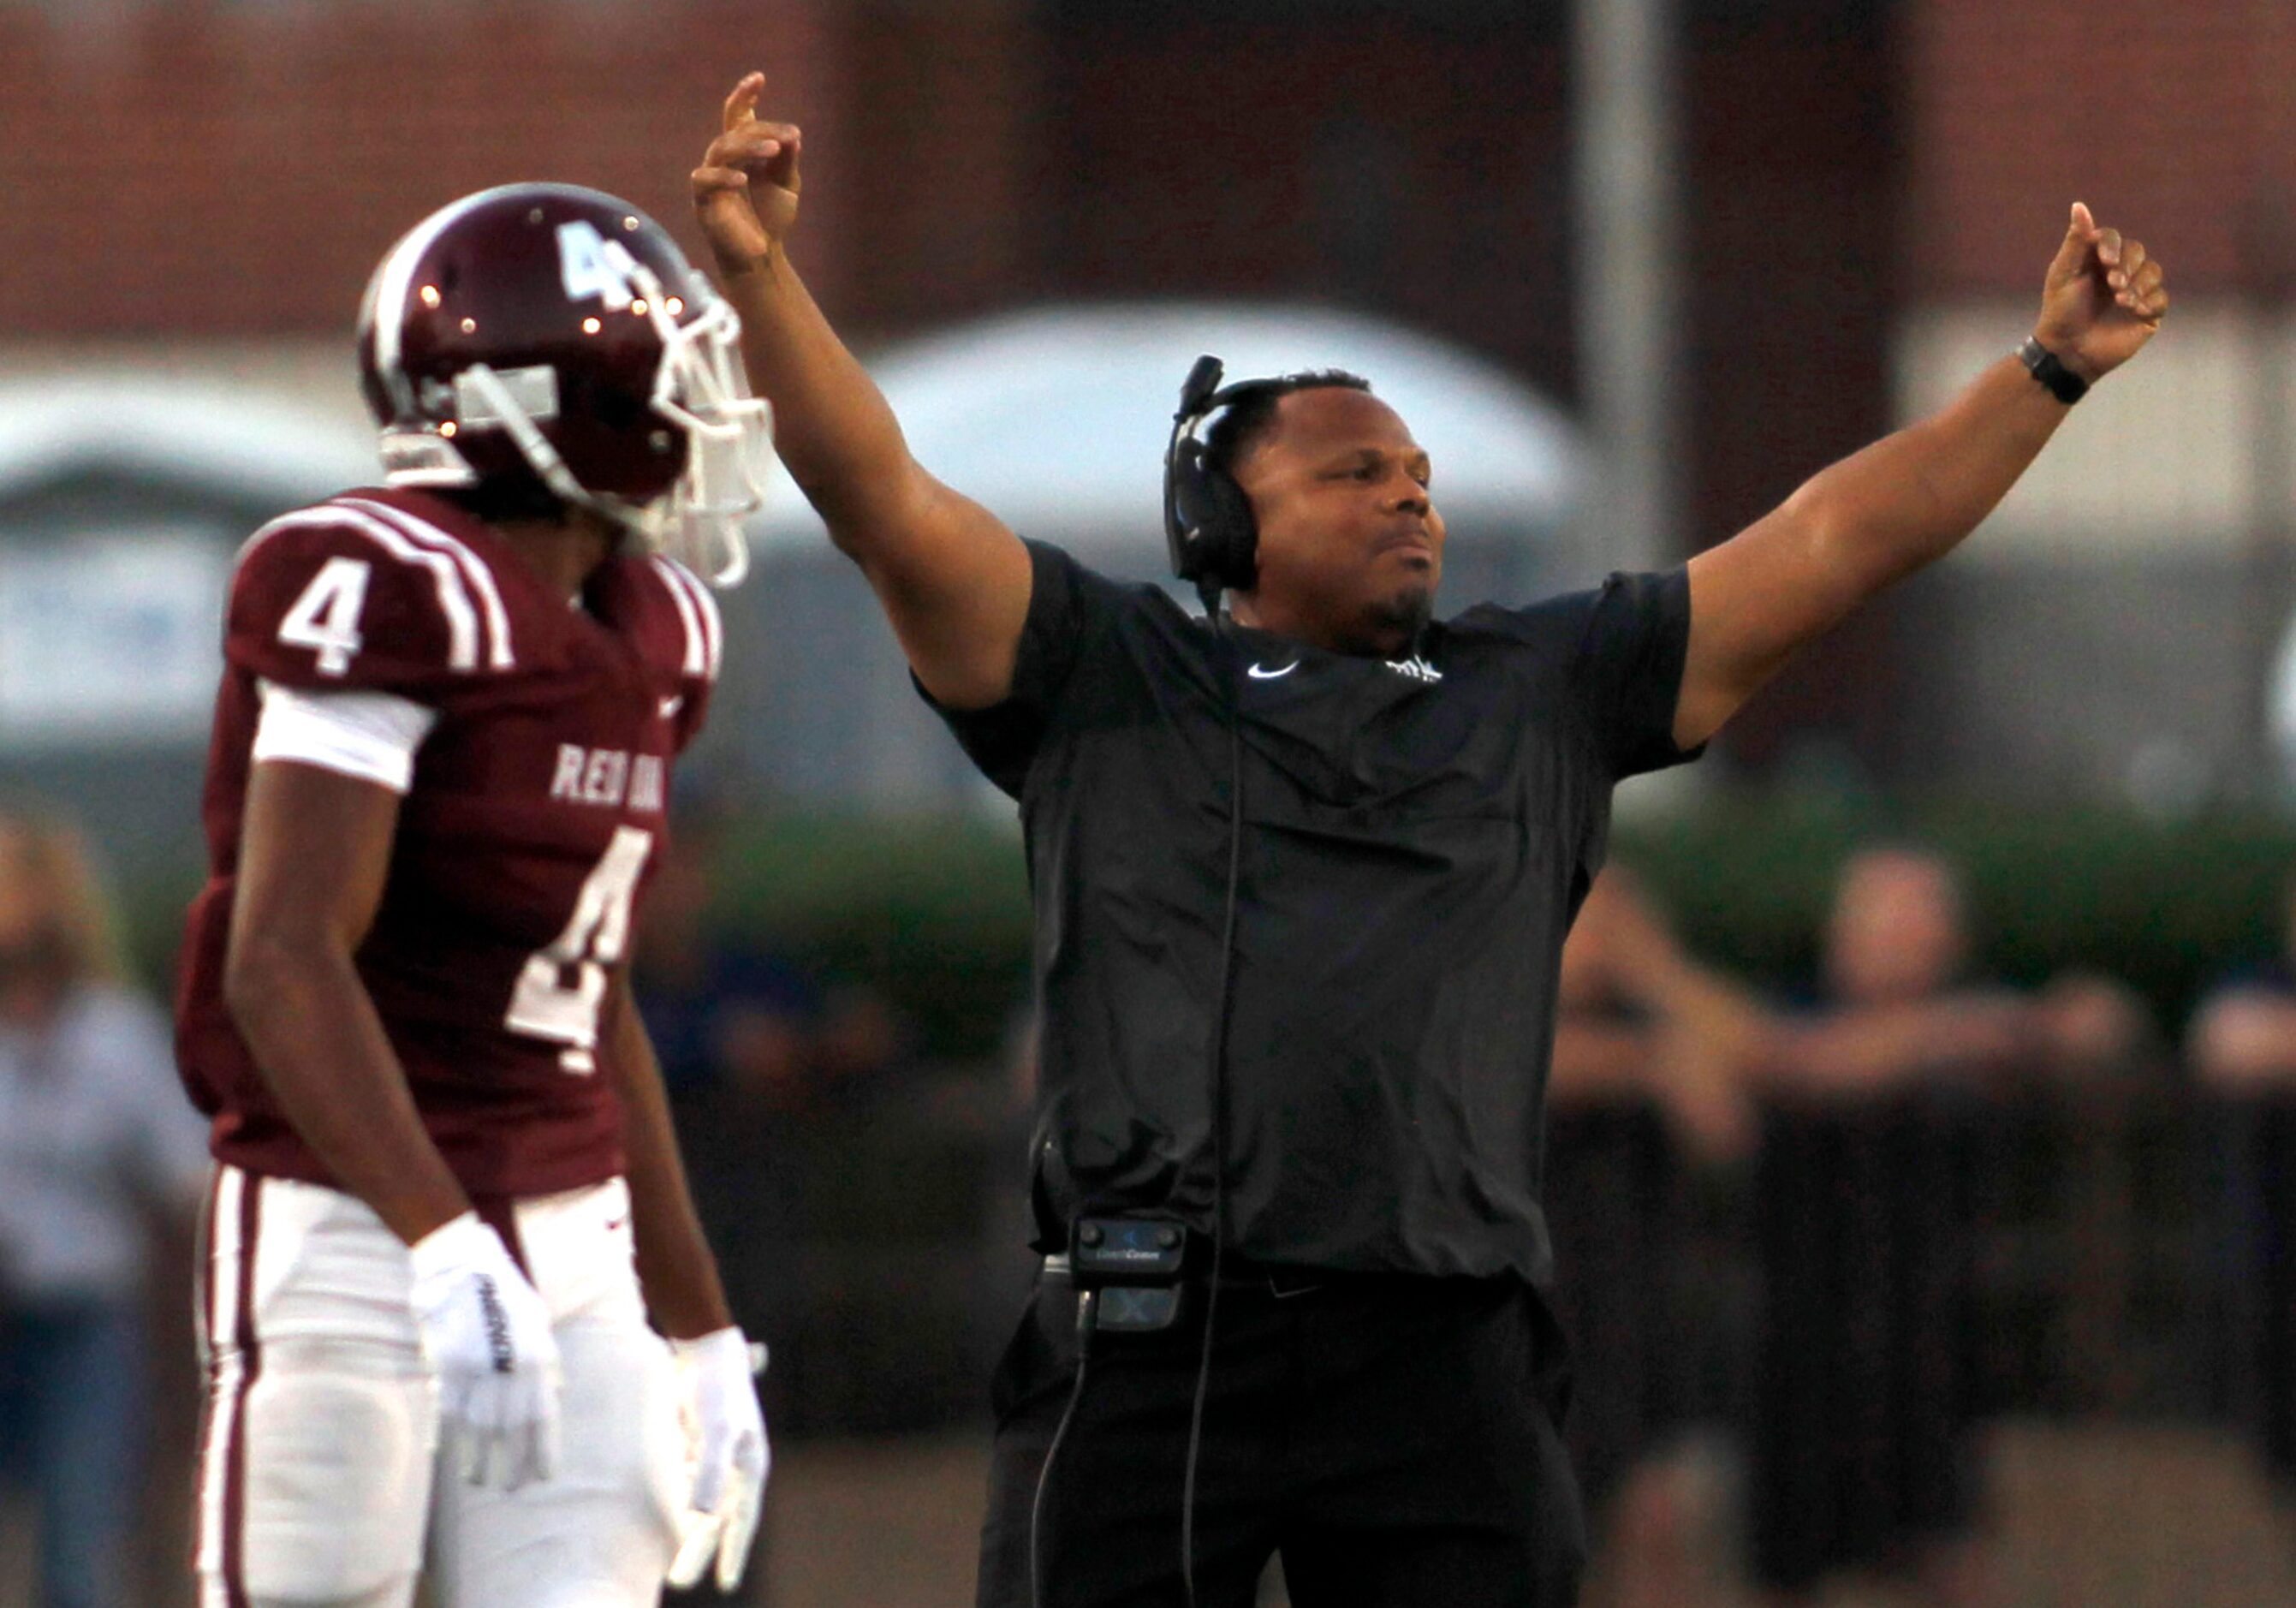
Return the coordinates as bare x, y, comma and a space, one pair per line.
1213, 543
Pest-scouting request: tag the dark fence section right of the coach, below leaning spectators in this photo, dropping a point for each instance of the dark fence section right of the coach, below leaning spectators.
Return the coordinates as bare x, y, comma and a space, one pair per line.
1891, 1271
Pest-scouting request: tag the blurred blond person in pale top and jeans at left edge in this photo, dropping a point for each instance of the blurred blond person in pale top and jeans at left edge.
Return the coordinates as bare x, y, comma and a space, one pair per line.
93, 1141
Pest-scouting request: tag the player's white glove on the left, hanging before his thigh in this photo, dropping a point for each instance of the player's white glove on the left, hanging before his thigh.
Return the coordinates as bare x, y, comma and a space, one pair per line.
488, 1338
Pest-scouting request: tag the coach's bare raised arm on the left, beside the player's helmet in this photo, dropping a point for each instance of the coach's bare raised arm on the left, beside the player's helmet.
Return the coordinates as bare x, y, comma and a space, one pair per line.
949, 575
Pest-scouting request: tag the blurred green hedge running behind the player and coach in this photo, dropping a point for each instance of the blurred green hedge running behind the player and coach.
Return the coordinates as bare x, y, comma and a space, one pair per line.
936, 909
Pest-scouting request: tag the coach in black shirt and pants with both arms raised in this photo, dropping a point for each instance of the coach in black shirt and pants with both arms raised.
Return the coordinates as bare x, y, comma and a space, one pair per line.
1310, 1030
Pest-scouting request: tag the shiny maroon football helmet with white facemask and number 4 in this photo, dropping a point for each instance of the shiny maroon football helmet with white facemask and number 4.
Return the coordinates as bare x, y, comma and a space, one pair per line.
557, 334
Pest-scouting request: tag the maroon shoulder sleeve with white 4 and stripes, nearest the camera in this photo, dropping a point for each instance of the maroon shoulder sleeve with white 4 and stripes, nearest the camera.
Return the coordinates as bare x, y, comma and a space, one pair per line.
334, 601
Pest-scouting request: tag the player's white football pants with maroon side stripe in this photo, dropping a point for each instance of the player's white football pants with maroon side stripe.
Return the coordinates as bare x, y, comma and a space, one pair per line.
323, 1481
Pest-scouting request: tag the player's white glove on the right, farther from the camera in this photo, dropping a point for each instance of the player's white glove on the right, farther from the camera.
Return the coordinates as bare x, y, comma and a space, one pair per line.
727, 1428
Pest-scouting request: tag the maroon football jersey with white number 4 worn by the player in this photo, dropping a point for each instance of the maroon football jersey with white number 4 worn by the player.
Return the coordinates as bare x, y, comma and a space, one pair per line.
525, 840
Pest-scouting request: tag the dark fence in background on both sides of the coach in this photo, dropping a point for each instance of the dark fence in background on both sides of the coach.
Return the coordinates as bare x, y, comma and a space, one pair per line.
1849, 1304
